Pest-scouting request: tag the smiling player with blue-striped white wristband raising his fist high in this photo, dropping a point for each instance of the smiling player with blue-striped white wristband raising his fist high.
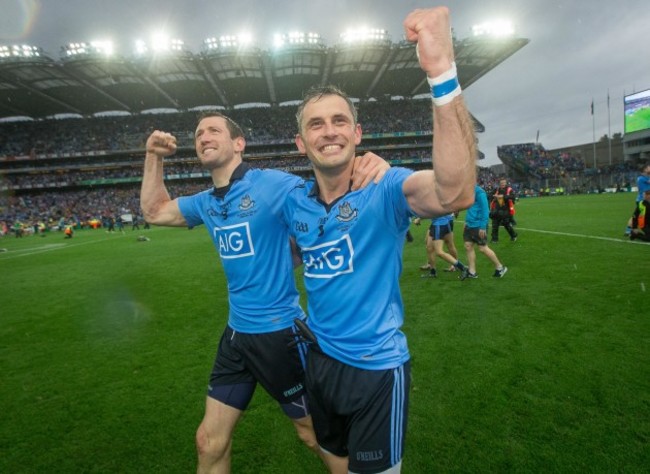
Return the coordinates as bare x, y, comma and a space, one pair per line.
351, 242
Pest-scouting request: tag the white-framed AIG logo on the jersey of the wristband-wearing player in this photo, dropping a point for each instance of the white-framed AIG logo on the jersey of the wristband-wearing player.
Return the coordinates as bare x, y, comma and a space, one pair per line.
329, 259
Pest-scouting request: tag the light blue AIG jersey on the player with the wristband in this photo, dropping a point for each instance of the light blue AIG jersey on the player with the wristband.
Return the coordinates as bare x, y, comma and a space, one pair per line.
352, 261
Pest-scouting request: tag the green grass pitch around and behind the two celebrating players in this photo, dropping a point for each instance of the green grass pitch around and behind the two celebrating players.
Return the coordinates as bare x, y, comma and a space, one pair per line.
106, 344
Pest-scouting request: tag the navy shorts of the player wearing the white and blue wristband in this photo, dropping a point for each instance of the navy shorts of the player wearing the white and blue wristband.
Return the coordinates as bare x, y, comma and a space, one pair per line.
359, 413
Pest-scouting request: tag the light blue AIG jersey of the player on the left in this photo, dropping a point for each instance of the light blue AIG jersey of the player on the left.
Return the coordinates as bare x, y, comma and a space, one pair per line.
248, 231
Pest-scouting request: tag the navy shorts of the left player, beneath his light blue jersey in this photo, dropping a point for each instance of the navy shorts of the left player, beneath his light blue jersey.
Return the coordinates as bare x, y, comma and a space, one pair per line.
270, 359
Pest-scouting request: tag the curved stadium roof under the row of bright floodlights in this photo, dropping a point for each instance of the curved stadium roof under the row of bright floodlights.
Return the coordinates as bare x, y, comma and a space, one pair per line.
39, 86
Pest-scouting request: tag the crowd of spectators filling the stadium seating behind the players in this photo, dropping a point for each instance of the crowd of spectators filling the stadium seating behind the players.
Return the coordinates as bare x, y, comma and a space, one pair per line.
88, 169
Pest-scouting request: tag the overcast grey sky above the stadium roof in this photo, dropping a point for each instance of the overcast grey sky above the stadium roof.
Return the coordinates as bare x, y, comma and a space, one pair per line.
579, 51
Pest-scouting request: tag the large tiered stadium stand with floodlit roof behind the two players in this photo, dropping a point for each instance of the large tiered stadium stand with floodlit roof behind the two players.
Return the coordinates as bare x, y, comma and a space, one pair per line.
88, 165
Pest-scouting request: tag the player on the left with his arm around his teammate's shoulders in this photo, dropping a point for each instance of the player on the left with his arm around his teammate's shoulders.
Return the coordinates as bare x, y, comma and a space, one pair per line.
242, 214
